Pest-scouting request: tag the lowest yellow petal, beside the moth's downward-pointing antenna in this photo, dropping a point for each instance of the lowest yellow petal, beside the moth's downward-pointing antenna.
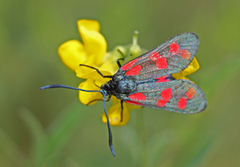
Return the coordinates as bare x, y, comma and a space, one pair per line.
114, 115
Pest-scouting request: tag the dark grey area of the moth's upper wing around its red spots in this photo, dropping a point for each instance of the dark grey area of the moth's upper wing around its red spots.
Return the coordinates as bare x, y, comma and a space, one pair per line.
186, 41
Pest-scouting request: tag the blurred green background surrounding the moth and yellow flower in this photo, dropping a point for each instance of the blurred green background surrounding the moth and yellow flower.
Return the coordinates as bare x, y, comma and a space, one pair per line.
52, 128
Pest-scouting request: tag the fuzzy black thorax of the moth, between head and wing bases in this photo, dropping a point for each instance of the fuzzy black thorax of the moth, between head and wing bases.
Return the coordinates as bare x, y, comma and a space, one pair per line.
125, 86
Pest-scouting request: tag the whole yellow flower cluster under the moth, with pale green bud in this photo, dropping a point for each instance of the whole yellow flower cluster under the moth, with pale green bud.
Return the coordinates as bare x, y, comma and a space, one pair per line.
93, 52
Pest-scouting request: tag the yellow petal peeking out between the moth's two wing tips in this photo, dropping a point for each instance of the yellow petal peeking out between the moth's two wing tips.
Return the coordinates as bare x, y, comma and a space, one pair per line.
192, 67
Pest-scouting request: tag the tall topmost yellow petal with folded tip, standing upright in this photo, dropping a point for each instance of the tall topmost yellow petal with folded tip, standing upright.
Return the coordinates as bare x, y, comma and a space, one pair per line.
94, 43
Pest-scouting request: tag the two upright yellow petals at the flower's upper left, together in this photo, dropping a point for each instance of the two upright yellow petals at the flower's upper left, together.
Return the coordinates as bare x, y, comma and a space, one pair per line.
74, 52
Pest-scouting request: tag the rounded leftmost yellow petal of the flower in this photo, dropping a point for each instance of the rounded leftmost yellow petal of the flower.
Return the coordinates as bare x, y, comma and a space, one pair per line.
72, 53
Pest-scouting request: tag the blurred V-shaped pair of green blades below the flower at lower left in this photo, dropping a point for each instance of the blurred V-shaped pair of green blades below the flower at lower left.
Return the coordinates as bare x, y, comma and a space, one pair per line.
47, 146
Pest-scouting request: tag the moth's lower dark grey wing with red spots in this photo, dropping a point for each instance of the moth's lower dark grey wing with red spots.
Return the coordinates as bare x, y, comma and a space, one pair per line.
182, 96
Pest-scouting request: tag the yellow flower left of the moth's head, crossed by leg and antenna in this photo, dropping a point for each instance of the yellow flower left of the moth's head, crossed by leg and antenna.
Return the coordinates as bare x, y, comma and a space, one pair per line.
92, 52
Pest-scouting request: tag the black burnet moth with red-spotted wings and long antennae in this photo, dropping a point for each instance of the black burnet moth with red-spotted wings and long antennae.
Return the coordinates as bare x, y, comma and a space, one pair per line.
147, 80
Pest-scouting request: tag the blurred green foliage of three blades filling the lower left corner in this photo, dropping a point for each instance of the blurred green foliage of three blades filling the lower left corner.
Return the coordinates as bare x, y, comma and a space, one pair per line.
46, 146
